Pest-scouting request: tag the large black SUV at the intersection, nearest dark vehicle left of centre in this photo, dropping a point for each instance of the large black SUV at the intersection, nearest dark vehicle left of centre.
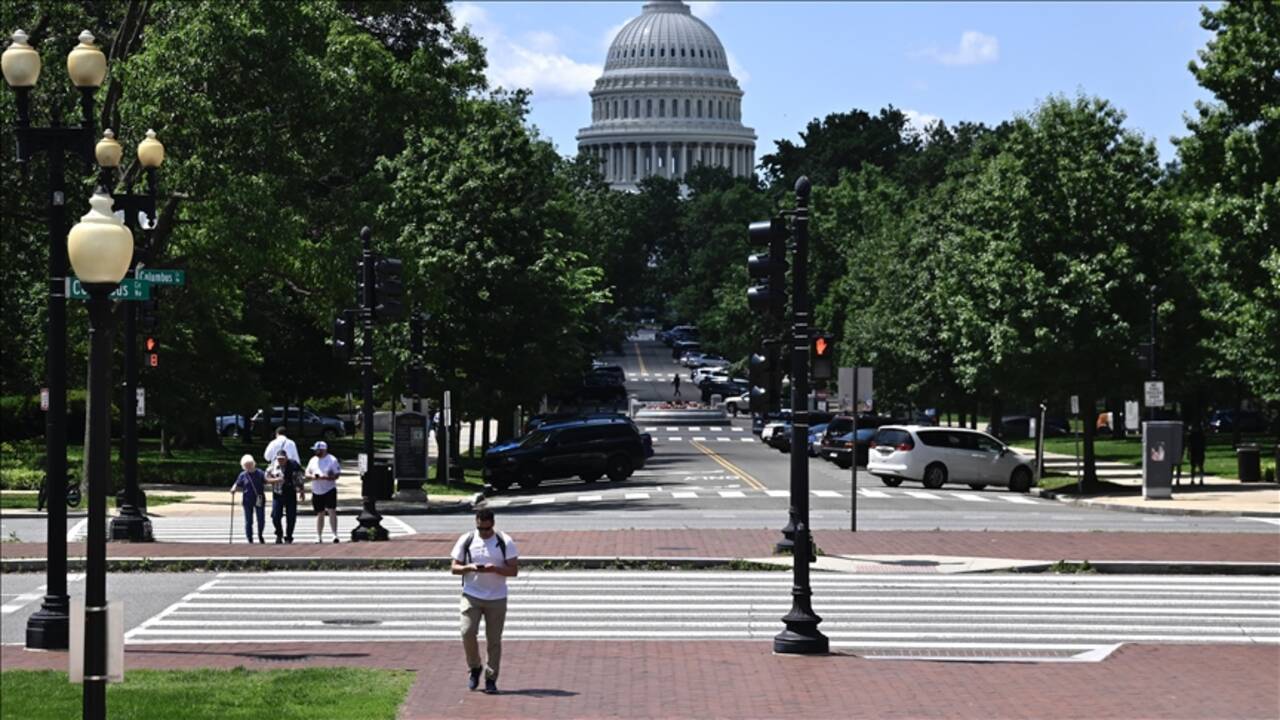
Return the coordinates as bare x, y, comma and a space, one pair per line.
587, 449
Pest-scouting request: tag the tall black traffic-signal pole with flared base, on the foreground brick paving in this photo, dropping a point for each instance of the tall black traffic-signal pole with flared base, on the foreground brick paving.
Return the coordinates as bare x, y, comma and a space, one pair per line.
802, 636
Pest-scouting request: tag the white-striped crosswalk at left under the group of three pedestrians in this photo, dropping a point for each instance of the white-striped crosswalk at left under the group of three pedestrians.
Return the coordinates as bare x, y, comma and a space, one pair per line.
220, 530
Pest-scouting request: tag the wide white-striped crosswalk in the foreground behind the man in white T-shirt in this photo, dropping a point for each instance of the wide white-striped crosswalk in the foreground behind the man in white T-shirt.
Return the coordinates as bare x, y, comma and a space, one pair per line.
971, 617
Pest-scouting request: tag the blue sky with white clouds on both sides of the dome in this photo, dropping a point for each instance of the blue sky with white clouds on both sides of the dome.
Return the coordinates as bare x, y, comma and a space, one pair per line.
798, 61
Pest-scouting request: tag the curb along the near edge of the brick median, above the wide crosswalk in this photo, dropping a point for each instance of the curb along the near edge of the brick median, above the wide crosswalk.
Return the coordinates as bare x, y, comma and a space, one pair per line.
602, 563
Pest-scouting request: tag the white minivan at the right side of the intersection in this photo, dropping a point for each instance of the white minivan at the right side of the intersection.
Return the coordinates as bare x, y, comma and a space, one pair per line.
936, 457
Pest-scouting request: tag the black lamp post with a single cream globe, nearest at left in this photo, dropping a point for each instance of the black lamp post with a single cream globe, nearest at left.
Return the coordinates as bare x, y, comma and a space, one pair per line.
100, 249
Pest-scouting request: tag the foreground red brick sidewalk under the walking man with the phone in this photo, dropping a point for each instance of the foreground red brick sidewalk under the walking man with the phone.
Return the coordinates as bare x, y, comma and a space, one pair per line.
743, 680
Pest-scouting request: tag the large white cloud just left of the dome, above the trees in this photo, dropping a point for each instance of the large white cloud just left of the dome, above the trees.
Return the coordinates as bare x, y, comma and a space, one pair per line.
533, 61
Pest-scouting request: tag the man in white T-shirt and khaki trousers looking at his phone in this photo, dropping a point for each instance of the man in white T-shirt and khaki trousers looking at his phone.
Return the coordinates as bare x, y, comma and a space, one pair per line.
484, 558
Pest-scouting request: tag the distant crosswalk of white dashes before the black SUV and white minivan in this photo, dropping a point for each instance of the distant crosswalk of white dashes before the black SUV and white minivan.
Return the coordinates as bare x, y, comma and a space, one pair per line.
738, 493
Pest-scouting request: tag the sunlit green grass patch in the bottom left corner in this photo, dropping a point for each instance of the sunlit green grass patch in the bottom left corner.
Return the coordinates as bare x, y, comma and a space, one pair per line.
333, 694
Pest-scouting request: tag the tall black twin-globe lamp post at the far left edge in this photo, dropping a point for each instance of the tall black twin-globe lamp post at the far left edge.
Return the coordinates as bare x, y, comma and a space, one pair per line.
86, 65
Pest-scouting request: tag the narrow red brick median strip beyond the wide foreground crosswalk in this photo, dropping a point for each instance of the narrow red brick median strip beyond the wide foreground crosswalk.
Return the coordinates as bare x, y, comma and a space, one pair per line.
1158, 548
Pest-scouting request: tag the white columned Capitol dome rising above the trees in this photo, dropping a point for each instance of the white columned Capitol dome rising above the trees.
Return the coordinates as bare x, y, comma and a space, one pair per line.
666, 102
